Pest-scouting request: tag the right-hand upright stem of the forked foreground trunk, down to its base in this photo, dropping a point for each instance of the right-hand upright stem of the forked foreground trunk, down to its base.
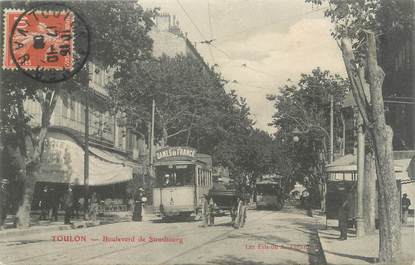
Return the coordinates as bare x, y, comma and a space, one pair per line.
390, 224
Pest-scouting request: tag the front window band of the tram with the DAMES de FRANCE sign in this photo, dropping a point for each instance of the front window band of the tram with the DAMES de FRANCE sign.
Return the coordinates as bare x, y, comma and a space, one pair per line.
174, 176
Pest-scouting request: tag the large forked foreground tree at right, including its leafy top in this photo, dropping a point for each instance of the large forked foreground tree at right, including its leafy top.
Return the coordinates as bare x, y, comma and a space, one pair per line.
357, 26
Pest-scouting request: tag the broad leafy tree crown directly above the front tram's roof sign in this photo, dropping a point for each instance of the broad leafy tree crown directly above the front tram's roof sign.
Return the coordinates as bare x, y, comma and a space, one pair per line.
192, 107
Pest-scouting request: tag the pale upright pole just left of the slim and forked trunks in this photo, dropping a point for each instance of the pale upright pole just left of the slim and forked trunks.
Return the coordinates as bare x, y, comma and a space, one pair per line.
360, 230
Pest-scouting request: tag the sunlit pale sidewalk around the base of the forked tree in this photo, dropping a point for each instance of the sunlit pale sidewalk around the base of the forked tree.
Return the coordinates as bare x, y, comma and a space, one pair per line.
361, 250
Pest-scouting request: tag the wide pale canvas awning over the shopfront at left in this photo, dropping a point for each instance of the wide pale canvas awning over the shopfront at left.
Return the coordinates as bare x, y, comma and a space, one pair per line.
63, 161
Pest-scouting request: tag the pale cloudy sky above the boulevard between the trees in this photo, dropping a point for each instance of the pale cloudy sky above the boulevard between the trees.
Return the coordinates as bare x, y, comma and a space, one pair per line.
260, 44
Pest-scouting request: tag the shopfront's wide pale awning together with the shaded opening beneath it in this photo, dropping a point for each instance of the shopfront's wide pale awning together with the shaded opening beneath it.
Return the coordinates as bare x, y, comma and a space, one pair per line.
63, 163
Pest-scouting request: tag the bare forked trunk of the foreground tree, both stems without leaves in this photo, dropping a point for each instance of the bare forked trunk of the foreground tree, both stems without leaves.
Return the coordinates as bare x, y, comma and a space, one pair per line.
374, 118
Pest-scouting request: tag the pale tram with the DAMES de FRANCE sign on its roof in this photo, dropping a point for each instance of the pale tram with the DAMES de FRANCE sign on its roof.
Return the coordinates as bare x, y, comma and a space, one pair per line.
183, 178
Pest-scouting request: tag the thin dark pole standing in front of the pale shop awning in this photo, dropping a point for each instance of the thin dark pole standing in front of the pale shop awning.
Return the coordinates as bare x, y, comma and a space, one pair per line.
86, 157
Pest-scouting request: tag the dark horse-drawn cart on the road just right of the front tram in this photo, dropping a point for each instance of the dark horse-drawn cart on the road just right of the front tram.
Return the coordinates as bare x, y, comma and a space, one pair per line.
227, 197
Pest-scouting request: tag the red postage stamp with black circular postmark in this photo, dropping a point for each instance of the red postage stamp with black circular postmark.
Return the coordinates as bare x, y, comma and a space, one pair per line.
38, 40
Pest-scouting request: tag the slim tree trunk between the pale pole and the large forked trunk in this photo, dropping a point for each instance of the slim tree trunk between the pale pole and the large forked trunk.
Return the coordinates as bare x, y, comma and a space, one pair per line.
369, 194
